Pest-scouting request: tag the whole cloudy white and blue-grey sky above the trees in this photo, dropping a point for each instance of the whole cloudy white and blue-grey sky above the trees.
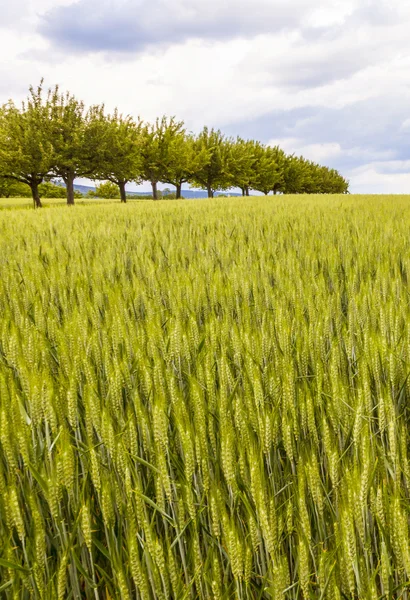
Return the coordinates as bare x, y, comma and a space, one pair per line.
329, 79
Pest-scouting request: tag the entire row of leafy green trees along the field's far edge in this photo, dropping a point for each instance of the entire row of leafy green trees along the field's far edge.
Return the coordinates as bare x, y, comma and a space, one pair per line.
53, 135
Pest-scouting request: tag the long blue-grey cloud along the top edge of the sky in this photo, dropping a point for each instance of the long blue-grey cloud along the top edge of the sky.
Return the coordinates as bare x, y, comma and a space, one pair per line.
129, 25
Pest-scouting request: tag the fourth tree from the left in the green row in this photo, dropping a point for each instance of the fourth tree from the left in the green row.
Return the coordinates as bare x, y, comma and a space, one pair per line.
156, 146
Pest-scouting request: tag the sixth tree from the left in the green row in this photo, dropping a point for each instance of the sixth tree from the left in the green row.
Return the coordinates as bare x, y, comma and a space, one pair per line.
215, 171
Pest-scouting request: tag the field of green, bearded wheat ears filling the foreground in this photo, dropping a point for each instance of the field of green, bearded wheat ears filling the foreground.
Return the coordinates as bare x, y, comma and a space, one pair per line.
206, 400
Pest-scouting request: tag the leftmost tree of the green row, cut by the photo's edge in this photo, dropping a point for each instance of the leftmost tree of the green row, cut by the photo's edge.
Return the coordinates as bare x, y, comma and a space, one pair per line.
26, 150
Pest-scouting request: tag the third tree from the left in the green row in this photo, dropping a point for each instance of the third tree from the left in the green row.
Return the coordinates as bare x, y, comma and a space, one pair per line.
120, 151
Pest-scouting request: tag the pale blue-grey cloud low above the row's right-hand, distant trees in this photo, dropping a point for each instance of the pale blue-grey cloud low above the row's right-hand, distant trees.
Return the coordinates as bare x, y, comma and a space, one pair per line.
365, 132
